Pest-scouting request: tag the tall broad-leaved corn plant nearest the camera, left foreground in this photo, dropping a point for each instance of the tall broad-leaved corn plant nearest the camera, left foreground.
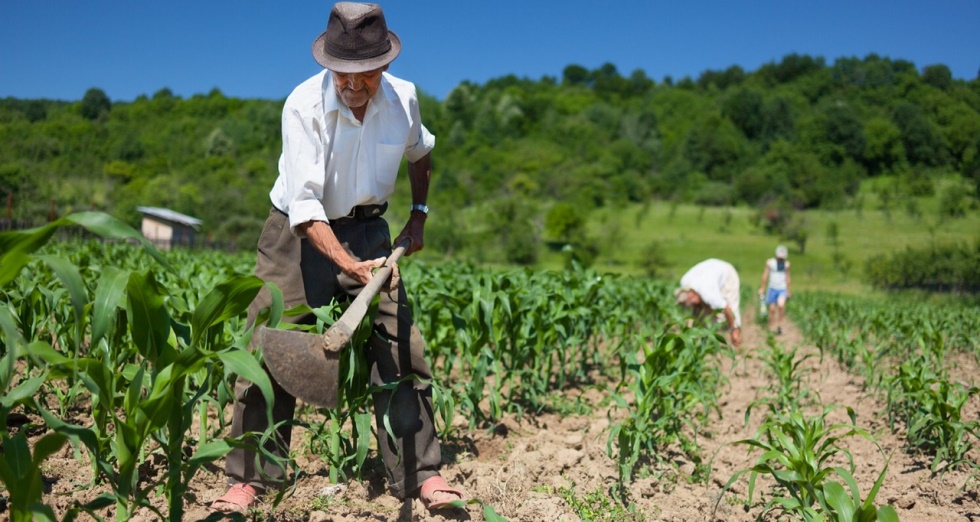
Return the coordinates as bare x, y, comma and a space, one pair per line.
151, 397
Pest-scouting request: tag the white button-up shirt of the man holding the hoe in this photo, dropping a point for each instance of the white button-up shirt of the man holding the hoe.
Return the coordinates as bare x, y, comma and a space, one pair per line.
331, 162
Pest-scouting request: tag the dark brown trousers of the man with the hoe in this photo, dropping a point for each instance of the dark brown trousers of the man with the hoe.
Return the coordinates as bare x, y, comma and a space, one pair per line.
395, 350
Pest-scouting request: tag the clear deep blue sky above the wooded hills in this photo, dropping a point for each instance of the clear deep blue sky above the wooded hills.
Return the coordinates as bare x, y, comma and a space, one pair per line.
250, 49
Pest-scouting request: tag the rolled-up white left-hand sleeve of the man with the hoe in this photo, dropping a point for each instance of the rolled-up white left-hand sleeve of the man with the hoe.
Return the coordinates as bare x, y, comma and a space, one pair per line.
301, 167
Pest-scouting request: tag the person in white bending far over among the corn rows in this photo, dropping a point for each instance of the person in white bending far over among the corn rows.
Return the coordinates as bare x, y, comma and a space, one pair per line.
713, 285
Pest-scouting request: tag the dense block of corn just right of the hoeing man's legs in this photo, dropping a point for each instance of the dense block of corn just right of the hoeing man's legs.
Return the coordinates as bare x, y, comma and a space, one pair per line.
519, 335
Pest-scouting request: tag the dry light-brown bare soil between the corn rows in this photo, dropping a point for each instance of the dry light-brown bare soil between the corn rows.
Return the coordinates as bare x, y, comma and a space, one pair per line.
520, 466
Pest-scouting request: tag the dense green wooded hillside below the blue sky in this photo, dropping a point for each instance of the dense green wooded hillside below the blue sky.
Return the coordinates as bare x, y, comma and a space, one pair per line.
537, 154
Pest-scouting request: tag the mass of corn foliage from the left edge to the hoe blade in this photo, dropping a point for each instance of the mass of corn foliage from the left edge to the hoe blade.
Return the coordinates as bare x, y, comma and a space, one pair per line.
121, 340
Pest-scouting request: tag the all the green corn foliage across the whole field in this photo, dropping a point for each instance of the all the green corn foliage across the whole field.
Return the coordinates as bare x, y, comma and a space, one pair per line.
149, 341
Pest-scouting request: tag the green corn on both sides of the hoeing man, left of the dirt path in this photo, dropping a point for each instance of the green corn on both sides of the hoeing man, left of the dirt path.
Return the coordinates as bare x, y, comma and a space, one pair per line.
148, 344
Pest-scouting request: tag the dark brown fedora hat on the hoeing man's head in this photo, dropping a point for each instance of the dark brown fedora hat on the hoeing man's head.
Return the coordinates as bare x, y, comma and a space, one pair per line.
357, 39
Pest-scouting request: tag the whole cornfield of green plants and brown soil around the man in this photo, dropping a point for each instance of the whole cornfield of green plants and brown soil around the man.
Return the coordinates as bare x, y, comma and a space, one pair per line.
555, 401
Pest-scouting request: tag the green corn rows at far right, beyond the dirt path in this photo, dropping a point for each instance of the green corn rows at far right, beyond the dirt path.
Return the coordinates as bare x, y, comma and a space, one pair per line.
915, 337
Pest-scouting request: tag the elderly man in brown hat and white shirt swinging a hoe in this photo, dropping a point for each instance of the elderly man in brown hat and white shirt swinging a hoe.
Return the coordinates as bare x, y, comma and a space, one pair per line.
344, 133
